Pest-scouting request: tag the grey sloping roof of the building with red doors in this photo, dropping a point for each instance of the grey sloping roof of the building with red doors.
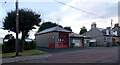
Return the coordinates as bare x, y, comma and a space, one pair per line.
56, 28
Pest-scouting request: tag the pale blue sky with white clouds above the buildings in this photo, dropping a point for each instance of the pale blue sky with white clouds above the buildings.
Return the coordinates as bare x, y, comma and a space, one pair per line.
50, 10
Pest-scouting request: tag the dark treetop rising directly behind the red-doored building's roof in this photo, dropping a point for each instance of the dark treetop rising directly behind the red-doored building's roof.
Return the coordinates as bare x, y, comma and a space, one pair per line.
47, 25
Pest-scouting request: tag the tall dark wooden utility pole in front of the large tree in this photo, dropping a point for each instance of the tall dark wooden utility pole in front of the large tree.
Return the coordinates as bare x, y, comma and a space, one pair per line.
17, 28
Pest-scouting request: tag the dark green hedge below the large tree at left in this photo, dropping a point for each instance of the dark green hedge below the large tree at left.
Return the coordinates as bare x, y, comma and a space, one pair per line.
10, 46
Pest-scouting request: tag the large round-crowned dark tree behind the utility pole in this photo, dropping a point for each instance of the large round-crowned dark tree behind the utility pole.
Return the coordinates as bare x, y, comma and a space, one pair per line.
27, 20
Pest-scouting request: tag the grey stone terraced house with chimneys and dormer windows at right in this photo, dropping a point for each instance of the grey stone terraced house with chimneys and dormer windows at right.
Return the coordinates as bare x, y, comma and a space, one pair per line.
101, 36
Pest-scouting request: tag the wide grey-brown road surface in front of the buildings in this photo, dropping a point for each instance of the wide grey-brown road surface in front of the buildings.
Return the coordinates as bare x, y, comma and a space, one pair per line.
87, 55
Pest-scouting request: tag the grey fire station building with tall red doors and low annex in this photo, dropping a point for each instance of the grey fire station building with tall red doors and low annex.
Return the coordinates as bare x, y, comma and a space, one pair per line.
57, 37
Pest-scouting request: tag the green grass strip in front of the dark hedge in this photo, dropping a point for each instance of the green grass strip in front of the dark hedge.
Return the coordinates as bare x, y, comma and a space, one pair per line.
25, 53
